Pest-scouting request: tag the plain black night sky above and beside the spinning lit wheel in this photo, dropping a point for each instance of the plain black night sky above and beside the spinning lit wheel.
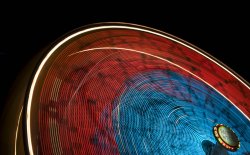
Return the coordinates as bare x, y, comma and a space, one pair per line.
222, 31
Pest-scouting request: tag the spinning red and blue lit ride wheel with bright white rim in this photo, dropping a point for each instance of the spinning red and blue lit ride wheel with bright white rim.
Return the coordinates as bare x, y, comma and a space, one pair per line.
92, 90
